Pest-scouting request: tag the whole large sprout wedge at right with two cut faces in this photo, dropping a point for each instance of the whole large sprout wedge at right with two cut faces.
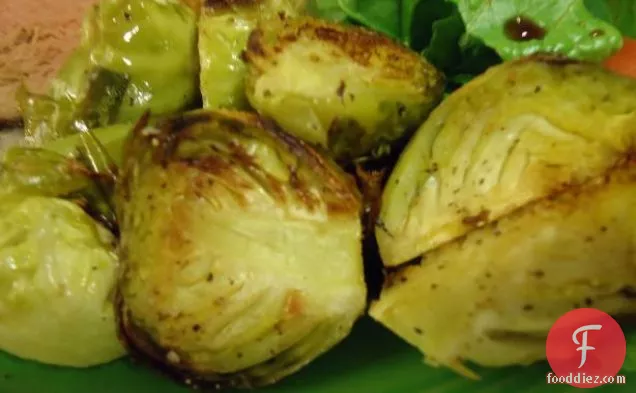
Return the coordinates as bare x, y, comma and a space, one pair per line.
513, 206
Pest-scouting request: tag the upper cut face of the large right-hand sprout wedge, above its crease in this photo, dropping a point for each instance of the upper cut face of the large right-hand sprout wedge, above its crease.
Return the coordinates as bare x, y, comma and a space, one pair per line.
520, 132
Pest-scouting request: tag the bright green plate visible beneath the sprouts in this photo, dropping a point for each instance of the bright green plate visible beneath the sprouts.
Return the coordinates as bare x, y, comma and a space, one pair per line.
371, 360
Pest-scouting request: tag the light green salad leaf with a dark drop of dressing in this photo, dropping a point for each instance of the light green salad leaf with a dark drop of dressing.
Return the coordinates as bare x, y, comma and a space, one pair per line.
516, 28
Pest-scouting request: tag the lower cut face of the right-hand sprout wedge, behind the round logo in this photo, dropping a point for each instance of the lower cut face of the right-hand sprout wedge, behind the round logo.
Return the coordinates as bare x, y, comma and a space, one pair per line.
510, 281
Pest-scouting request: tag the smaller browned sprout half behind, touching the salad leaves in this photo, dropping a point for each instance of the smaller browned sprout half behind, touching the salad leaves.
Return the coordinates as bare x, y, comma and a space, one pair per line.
347, 89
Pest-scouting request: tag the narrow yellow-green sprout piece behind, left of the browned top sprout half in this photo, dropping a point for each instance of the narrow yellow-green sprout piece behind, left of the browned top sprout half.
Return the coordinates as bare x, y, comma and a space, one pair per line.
224, 28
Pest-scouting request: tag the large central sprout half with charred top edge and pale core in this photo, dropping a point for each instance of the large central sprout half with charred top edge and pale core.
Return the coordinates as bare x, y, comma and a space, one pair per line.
241, 250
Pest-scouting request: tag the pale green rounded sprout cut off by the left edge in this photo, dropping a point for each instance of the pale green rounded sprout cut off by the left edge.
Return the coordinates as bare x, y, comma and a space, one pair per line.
58, 271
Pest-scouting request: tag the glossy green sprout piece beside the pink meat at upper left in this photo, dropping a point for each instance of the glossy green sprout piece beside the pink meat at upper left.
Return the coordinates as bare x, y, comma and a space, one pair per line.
134, 56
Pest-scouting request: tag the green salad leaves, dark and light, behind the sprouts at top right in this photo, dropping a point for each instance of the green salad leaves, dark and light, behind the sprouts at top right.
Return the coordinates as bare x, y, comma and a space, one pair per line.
465, 37
